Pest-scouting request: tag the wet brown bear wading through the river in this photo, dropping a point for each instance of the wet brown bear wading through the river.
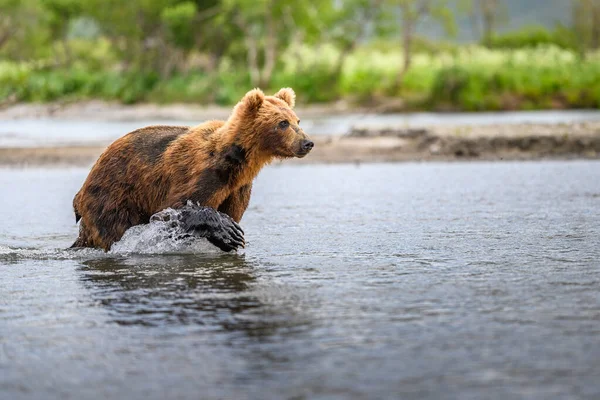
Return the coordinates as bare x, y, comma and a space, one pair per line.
211, 165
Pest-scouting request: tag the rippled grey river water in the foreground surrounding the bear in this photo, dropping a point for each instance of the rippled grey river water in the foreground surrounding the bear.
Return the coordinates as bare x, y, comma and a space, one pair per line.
428, 281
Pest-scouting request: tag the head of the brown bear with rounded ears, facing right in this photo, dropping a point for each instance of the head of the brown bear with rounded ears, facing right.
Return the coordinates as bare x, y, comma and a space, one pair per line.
268, 125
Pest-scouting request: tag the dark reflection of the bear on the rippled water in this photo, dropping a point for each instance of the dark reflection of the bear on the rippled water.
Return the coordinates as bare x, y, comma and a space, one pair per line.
211, 292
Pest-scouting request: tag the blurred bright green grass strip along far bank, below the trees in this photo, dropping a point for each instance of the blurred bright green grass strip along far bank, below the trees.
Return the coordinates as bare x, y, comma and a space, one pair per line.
466, 78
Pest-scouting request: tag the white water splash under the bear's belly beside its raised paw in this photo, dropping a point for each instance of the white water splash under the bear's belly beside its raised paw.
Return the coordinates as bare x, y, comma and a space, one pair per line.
162, 237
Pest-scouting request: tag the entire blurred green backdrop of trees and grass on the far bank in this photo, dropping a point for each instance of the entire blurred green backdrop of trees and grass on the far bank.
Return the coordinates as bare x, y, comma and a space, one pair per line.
424, 54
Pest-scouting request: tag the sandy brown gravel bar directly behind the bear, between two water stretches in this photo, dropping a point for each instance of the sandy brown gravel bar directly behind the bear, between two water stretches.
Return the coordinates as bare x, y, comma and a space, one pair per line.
394, 144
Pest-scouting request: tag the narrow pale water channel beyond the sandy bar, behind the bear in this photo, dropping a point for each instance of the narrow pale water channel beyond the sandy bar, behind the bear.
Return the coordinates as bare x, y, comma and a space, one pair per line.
60, 132
